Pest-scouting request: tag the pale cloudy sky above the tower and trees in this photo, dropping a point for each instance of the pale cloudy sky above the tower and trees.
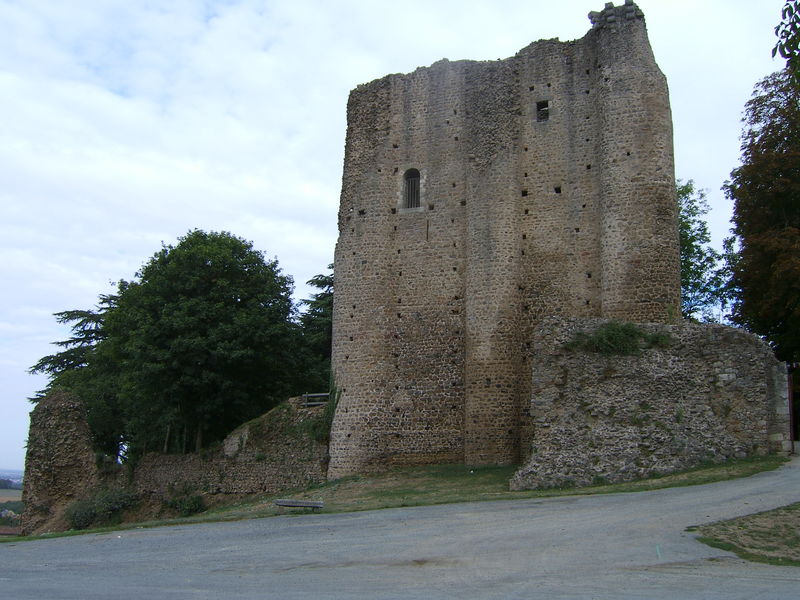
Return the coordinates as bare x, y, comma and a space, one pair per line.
127, 123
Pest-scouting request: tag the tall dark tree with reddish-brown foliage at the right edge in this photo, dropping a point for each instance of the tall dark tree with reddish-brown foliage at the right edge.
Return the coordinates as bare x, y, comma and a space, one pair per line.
765, 191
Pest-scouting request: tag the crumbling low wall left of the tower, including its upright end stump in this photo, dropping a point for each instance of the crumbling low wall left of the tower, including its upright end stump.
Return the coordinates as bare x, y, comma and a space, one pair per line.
265, 455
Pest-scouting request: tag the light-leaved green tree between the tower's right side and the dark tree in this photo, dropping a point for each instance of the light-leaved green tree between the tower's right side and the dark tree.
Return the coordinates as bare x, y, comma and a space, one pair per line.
702, 279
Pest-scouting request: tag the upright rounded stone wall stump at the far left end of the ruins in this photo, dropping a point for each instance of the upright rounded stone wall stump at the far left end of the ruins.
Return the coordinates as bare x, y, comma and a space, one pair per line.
60, 464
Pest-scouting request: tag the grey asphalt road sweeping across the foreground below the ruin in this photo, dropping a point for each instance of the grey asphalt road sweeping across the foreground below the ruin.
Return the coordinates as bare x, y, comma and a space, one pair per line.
604, 547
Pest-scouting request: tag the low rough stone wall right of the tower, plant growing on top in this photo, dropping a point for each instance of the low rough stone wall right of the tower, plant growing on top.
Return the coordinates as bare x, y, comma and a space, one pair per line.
712, 394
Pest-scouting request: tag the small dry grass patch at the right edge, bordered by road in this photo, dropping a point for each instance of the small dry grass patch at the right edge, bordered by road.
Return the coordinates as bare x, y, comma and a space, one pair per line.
771, 537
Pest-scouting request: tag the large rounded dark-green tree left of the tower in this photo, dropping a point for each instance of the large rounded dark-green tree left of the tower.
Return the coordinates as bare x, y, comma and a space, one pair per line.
203, 339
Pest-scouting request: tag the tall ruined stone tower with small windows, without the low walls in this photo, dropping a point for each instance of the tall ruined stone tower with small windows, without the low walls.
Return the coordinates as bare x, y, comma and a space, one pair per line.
477, 198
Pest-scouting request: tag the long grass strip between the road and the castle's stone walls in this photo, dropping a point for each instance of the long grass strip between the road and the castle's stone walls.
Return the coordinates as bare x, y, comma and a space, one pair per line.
438, 484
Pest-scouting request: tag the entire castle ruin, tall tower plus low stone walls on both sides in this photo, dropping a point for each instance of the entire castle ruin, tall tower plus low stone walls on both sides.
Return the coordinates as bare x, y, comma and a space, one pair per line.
490, 213
